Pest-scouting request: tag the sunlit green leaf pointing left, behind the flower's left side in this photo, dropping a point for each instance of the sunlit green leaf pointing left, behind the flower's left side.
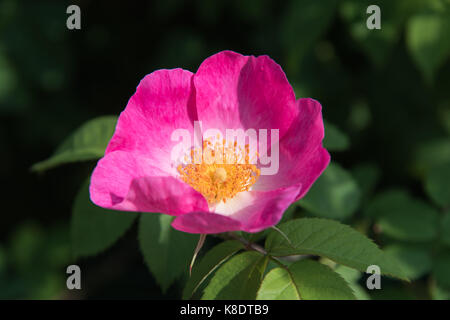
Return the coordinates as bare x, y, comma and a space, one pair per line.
86, 143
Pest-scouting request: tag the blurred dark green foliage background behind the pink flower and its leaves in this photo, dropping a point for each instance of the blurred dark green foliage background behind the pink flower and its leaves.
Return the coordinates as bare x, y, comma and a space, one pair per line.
385, 96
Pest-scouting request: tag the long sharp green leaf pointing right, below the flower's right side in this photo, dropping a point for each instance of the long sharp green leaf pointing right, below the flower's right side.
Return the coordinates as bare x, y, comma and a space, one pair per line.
333, 240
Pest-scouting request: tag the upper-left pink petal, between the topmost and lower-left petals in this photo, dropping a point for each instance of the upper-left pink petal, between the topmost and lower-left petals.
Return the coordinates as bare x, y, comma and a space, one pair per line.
163, 102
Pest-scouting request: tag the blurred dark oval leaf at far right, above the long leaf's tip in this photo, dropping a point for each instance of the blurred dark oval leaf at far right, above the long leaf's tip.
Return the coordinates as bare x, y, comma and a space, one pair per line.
404, 218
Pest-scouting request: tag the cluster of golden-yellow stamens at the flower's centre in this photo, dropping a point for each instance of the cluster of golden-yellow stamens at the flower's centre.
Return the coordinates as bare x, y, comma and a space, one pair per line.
223, 171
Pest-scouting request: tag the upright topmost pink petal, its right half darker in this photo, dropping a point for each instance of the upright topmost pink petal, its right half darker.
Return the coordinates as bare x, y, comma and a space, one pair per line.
236, 91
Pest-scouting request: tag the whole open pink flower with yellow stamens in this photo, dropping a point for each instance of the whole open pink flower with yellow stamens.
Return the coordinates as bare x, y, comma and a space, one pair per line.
228, 91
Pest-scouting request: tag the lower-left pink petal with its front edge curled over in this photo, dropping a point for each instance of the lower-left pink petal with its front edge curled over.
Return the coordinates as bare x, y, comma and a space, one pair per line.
125, 181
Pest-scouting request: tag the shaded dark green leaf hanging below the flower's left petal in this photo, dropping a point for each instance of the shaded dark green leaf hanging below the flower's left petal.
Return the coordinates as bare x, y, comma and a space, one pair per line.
94, 229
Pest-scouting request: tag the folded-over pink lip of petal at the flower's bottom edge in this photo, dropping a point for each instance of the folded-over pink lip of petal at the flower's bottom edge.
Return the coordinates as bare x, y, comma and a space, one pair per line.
206, 223
